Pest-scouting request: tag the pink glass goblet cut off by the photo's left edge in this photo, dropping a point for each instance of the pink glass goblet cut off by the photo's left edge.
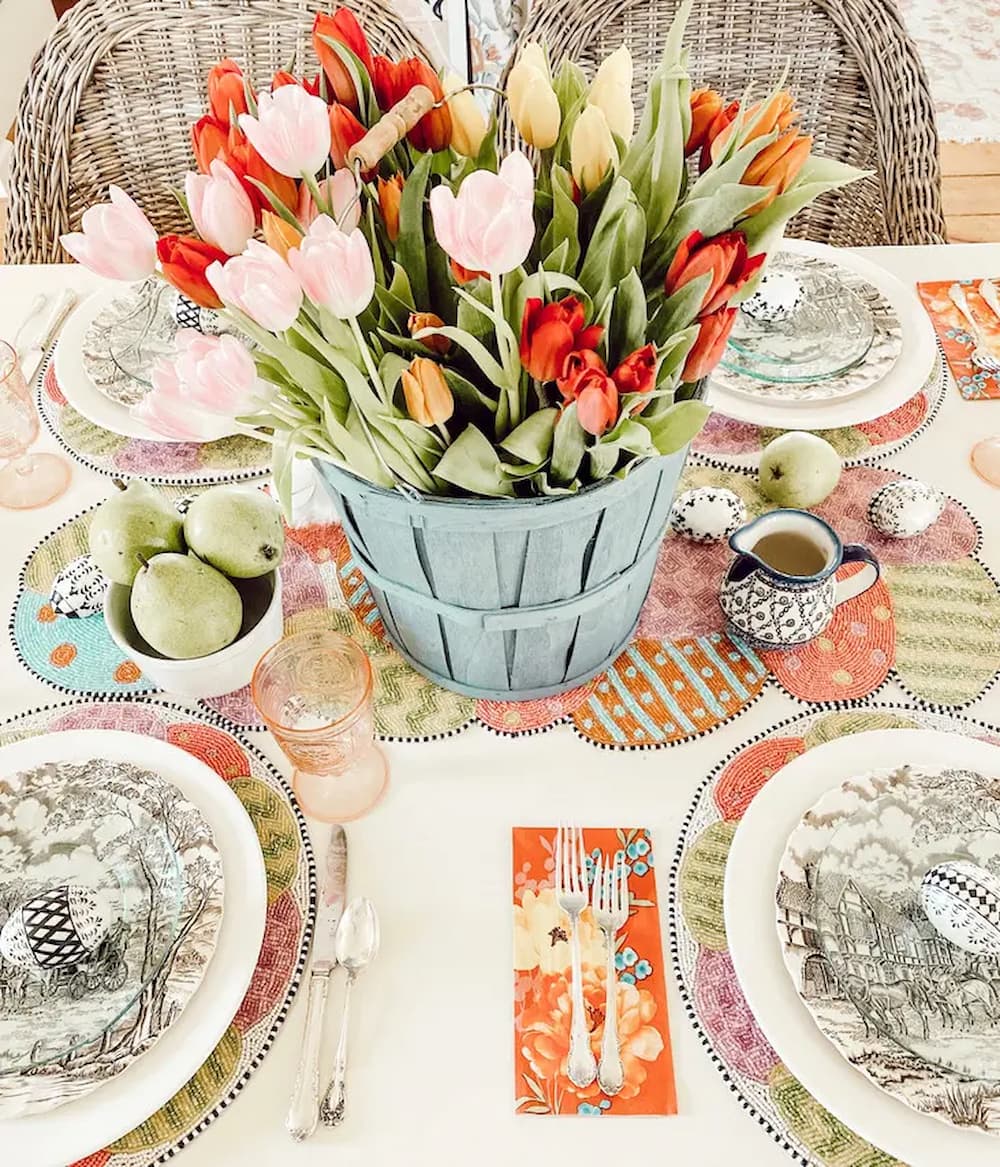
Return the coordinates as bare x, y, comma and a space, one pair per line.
27, 480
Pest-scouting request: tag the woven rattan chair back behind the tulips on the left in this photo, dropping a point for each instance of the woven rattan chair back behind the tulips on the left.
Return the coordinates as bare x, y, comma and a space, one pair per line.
116, 88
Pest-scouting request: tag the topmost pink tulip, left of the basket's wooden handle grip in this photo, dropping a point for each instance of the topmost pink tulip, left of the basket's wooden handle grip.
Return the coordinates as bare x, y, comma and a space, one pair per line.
291, 131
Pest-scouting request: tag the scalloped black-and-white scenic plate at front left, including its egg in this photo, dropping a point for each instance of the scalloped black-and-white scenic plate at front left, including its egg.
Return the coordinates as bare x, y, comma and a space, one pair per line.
107, 871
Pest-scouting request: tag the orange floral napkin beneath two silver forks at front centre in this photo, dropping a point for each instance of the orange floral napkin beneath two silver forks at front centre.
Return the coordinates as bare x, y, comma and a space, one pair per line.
542, 989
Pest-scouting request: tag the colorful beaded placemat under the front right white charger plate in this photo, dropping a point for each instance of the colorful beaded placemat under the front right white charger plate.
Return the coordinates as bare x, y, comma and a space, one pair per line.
709, 987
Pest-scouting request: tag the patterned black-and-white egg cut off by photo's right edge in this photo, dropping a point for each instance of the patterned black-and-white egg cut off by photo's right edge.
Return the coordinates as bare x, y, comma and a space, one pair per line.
962, 900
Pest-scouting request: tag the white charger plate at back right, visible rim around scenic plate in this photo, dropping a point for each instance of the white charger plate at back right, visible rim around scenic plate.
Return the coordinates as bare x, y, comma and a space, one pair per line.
899, 386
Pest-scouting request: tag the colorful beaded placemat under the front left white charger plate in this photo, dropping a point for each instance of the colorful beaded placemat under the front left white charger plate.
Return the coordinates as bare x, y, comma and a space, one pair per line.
291, 909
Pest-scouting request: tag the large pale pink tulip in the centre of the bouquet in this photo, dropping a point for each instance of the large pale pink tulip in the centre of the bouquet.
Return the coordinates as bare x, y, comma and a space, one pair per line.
489, 227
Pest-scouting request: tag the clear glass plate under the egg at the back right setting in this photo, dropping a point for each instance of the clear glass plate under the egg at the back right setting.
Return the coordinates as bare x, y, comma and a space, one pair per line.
829, 332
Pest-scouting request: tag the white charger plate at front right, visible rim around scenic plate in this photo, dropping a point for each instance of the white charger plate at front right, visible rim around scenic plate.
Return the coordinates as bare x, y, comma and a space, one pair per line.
752, 875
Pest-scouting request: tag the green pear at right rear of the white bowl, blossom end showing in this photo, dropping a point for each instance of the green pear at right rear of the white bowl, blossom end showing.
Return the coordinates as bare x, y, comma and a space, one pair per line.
237, 530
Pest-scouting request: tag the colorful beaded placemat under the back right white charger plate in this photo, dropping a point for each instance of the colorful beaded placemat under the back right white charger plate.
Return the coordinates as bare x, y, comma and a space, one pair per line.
737, 445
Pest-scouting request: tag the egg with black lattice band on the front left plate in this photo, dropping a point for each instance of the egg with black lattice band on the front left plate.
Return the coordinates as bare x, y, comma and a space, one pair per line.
57, 930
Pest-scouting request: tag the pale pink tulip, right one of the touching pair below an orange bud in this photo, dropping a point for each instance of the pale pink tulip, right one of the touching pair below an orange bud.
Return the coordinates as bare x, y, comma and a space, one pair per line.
334, 269
